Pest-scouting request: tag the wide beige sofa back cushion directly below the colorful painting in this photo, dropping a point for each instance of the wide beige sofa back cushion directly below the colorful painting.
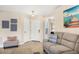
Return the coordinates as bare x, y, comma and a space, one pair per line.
69, 40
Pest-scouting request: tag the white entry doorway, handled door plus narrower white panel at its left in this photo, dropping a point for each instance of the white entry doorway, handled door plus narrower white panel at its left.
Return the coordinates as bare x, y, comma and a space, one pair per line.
33, 29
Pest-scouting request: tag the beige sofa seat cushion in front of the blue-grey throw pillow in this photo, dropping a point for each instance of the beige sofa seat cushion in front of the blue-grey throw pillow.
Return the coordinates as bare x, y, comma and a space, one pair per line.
58, 49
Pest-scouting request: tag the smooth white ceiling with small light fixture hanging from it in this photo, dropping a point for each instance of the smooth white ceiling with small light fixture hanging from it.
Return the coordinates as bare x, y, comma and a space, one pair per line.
45, 10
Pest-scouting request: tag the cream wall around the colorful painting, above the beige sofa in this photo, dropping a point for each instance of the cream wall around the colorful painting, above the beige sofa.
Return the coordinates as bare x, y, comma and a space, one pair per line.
59, 22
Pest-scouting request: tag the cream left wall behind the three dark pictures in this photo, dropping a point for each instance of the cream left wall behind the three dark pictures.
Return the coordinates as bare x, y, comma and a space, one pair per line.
4, 33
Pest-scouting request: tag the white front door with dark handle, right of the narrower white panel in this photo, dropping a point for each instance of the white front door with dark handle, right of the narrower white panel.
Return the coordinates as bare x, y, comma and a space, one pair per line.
36, 29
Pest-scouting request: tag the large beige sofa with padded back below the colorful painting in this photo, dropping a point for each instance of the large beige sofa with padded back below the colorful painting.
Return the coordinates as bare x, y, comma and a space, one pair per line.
67, 44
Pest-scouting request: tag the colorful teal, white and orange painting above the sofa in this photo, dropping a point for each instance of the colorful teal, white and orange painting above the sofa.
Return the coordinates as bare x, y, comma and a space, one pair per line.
71, 17
